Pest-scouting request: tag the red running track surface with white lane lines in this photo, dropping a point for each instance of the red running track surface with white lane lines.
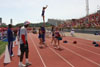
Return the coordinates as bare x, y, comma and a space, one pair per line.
82, 54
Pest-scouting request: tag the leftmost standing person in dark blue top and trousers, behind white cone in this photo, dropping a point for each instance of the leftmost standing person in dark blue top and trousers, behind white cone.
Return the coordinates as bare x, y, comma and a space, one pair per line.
10, 39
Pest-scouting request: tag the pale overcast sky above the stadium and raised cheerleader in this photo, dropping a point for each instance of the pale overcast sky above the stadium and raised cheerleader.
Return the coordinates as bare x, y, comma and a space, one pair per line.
22, 10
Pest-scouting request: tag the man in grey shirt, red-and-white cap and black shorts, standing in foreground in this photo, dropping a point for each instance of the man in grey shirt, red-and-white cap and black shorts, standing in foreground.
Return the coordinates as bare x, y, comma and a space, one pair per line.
24, 44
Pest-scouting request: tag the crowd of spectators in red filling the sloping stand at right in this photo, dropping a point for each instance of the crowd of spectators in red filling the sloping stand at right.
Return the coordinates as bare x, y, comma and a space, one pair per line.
90, 21
